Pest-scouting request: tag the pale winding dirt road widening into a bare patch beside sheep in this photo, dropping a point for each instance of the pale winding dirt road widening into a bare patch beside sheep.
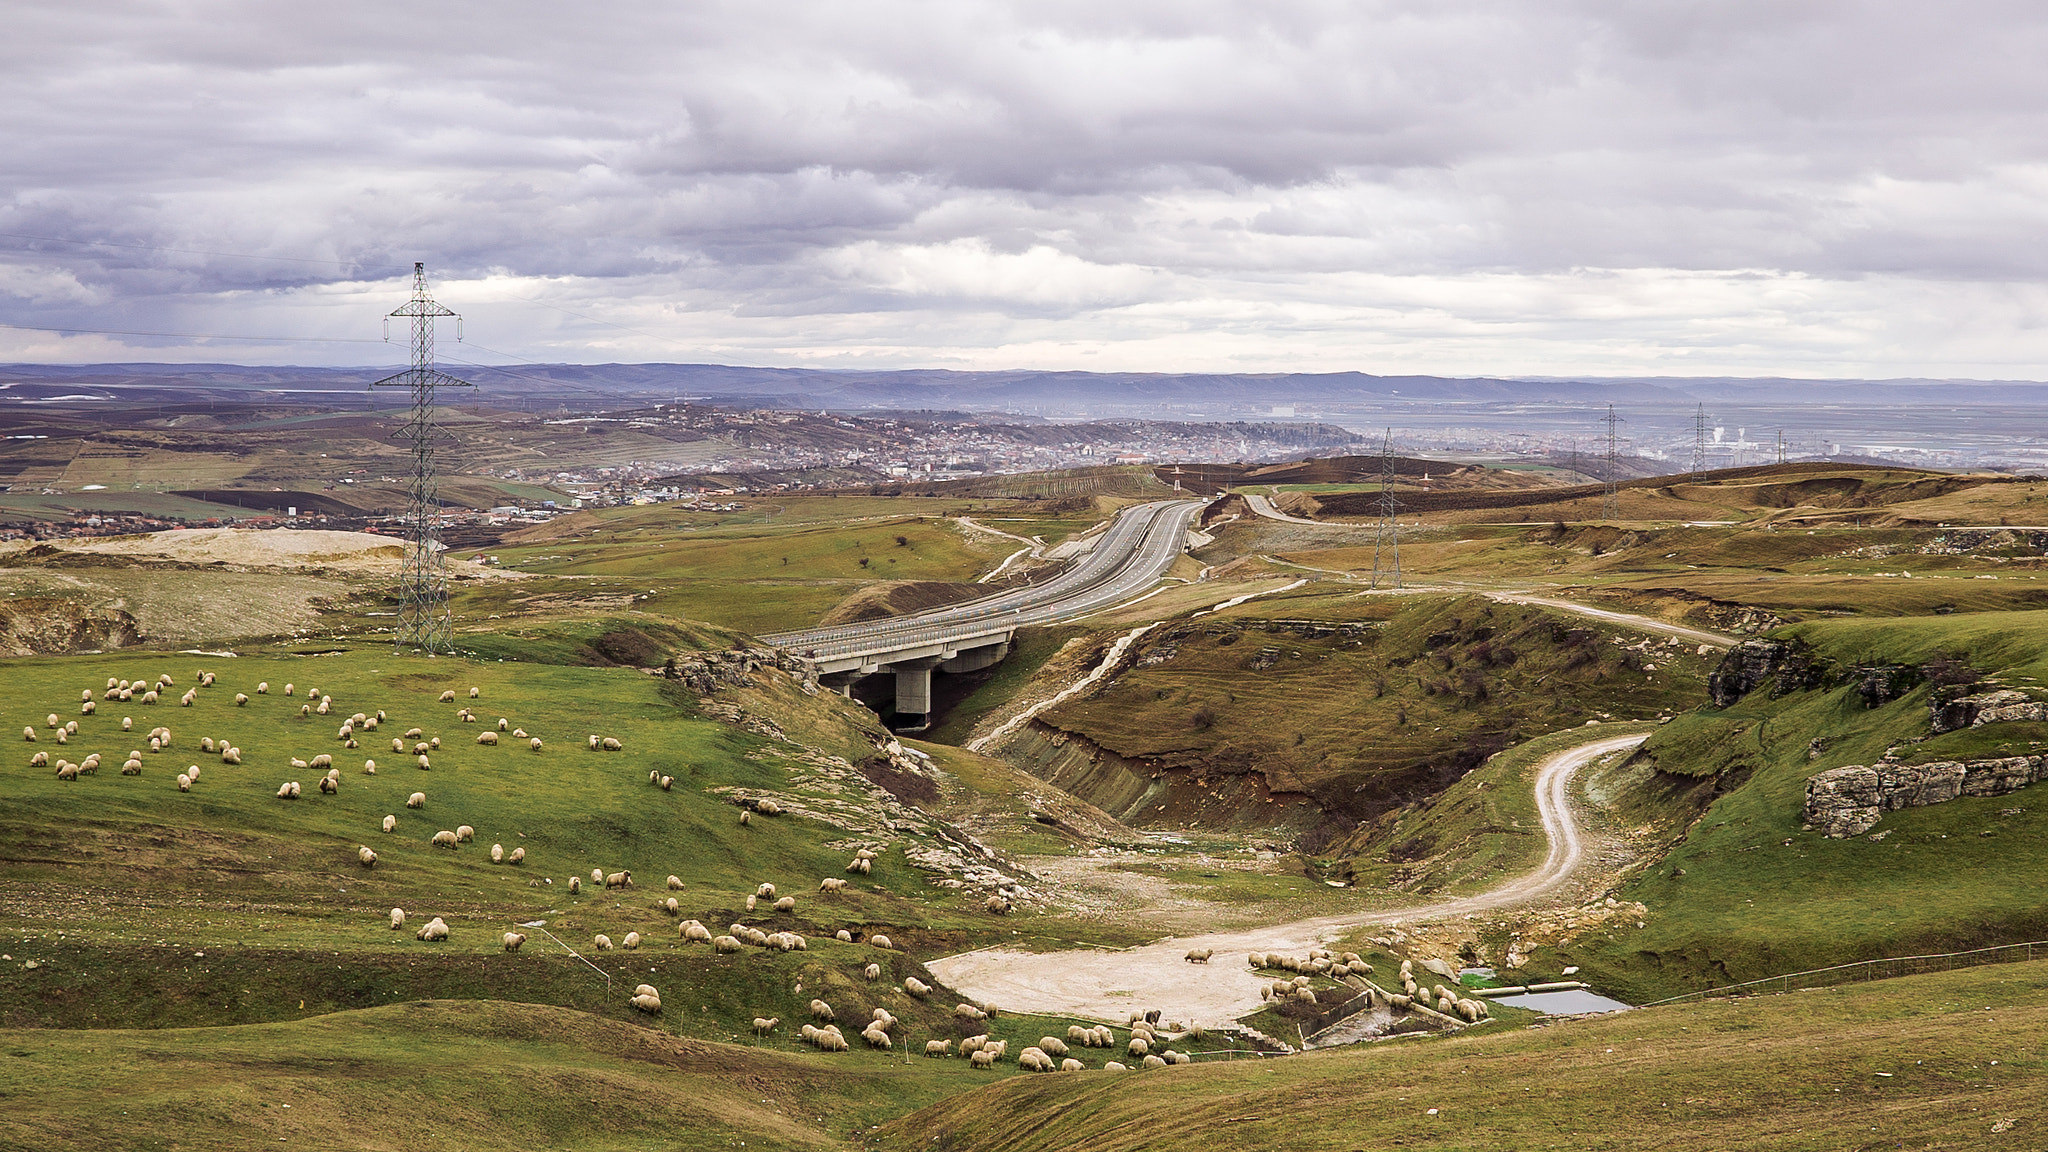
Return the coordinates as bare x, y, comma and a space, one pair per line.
1109, 985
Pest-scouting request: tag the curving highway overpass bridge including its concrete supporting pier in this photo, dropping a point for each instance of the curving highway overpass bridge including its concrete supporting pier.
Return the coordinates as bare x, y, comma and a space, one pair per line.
1129, 557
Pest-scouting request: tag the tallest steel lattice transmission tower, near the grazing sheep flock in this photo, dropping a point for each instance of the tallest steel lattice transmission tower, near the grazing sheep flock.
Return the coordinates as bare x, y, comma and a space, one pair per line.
423, 616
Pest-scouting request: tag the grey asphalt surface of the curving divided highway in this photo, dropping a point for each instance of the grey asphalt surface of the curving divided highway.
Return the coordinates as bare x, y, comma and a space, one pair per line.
1129, 557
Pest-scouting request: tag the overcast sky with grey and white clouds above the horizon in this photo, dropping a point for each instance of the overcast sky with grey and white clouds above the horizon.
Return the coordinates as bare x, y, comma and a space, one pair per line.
1461, 188
